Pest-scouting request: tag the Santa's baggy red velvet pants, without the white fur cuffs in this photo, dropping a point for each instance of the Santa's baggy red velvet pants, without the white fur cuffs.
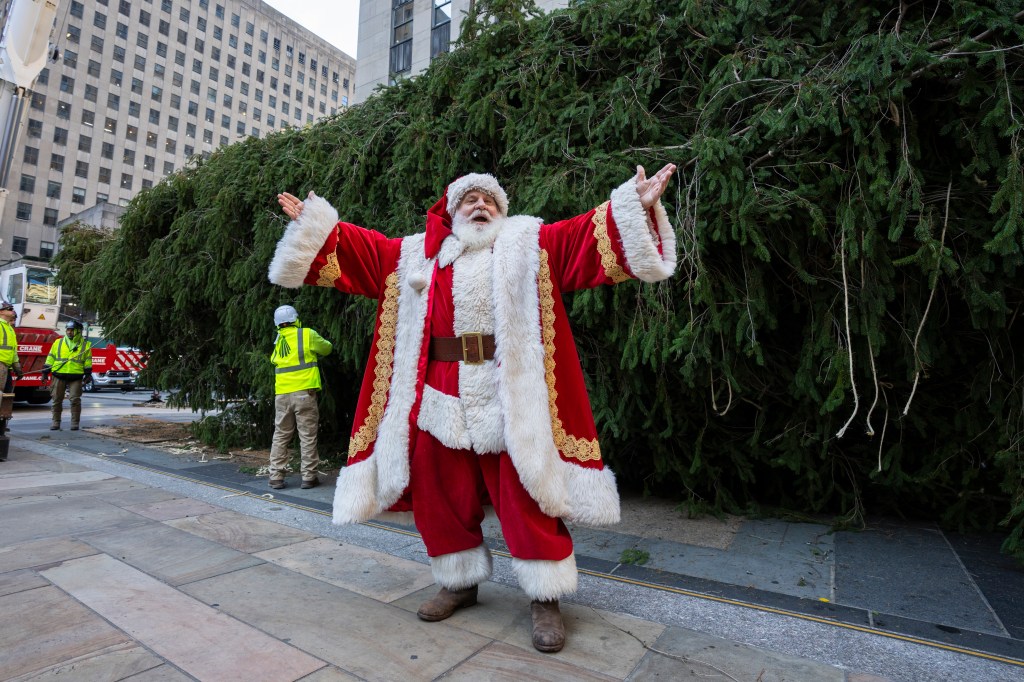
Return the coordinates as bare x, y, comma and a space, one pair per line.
450, 489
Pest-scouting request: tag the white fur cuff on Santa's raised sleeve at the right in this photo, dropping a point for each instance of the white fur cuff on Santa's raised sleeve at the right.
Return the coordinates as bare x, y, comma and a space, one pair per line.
639, 245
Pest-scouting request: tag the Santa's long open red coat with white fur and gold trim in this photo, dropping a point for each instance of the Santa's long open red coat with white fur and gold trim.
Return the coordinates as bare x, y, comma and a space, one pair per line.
549, 430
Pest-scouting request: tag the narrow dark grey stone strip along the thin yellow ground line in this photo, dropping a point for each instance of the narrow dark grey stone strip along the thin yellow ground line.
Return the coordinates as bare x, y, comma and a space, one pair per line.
226, 476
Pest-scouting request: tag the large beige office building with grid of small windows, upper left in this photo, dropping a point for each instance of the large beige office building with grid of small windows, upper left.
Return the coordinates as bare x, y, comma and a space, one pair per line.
135, 89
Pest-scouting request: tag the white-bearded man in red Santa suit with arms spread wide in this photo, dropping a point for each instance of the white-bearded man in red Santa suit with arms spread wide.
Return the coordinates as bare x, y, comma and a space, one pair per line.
474, 394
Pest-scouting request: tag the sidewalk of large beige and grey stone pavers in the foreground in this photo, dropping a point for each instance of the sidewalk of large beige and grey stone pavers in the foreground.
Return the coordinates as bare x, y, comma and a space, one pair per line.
103, 578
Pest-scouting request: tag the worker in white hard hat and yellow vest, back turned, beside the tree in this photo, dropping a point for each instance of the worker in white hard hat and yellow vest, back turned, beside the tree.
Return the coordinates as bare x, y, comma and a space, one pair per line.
296, 382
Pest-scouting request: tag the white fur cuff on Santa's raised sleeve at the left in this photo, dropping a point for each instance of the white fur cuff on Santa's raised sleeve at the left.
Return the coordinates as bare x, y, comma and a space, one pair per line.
303, 241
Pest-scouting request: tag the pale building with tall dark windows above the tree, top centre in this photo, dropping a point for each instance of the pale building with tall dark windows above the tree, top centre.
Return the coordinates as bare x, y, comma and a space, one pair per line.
399, 38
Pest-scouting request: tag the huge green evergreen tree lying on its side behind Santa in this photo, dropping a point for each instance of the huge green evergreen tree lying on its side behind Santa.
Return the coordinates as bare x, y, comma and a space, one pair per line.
844, 331
